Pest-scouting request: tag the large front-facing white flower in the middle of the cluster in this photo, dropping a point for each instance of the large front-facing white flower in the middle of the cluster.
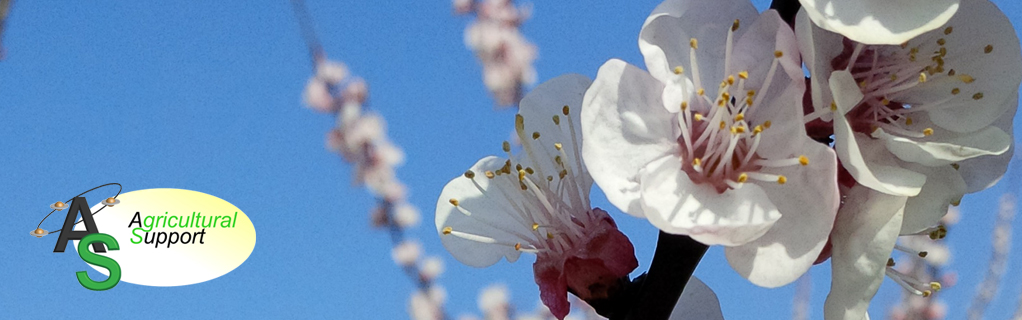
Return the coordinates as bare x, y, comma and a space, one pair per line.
721, 156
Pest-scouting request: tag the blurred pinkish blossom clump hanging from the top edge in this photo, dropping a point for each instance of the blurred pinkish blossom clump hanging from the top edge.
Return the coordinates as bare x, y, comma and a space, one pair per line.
505, 55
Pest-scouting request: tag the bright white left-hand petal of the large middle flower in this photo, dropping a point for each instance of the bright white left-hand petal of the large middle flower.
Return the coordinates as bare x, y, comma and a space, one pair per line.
624, 130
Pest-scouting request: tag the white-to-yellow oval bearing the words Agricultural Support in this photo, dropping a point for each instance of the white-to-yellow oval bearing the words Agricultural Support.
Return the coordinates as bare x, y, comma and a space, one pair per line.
172, 238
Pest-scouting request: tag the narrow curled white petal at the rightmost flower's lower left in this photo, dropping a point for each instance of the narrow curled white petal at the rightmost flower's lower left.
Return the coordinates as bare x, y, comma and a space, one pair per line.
867, 161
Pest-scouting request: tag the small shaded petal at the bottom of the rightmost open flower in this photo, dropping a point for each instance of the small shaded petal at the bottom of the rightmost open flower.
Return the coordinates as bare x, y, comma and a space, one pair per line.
944, 187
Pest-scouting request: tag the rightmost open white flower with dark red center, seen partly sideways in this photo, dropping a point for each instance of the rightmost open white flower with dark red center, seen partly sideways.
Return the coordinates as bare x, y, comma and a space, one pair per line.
928, 119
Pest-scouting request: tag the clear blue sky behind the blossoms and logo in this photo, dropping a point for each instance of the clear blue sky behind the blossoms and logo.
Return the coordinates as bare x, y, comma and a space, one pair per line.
207, 97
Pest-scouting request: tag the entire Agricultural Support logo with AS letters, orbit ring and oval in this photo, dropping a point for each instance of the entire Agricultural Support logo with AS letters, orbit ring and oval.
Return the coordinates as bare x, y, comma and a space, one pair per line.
155, 238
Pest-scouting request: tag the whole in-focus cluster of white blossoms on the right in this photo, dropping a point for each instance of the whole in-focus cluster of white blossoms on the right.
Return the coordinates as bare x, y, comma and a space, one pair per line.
908, 107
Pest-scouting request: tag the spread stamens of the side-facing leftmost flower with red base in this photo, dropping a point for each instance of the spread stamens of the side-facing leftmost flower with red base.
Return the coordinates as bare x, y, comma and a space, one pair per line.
550, 206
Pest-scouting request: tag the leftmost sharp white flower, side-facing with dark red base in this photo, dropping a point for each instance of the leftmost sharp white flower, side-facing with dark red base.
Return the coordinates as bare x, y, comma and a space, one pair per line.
538, 203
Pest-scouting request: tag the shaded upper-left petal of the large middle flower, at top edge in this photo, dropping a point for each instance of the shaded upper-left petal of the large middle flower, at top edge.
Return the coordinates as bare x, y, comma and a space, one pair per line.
664, 40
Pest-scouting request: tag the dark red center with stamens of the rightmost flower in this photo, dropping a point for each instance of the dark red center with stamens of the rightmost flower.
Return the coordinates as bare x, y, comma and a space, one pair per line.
886, 75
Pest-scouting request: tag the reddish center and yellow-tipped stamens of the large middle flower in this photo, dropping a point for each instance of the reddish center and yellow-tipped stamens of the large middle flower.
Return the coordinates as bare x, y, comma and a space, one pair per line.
718, 140
